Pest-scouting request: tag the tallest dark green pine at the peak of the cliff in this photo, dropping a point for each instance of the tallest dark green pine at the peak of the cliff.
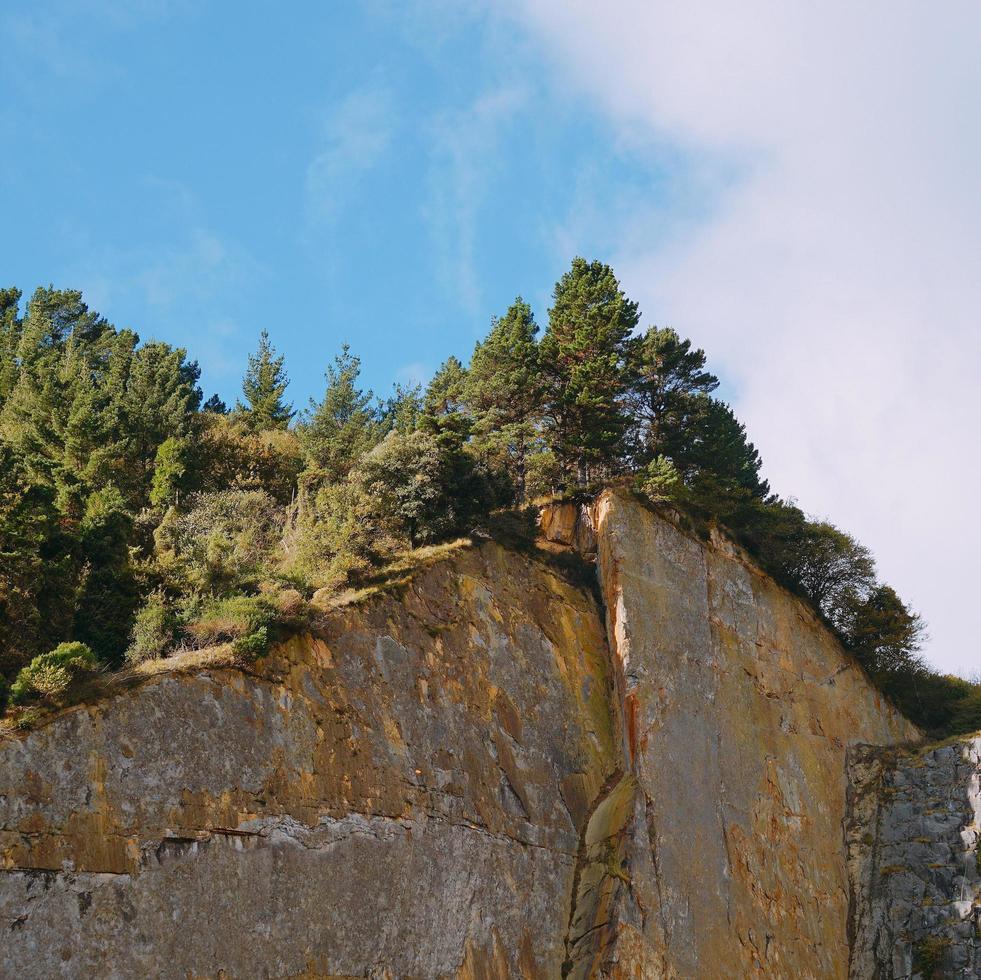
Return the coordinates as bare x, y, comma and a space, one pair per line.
584, 355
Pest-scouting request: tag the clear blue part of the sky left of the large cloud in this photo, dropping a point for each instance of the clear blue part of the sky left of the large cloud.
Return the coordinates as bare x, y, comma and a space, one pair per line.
346, 172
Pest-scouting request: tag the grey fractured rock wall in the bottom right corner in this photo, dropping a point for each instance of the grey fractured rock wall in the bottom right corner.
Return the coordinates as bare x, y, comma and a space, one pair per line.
916, 872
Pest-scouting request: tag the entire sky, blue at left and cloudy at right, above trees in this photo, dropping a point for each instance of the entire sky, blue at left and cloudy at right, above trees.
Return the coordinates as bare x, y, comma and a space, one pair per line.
793, 185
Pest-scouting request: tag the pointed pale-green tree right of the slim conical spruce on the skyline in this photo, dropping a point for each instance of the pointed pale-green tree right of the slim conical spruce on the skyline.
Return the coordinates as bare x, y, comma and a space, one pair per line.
343, 426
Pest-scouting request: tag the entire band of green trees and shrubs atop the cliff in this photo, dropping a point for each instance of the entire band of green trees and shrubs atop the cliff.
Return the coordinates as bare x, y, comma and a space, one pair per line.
137, 518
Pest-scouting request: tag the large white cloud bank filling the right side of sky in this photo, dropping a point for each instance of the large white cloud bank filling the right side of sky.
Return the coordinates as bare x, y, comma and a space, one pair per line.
837, 286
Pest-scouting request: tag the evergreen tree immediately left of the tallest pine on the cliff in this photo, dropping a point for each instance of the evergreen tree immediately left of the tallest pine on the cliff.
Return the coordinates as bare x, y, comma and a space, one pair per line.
503, 392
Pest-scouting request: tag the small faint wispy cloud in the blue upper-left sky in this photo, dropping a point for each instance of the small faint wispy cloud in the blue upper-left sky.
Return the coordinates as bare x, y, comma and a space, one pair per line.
356, 134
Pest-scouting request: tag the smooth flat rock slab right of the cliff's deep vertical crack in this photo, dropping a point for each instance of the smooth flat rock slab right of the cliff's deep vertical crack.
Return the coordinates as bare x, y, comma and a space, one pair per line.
738, 711
